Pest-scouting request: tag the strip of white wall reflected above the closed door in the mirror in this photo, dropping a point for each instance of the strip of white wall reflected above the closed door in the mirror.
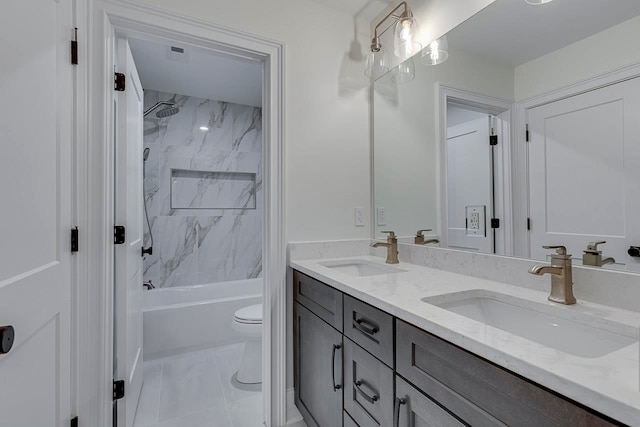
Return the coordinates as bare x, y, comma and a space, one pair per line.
606, 51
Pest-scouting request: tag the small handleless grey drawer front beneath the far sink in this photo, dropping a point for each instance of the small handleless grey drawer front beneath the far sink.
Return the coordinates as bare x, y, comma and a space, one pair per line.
321, 299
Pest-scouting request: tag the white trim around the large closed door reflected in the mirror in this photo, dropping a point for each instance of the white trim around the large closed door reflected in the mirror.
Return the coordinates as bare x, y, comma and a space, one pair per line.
521, 234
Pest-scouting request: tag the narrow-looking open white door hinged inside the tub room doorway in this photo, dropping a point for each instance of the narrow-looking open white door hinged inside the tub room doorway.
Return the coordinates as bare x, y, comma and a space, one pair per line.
128, 256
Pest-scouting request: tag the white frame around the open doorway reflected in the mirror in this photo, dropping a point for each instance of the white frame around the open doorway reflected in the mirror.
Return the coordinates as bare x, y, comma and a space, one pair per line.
502, 195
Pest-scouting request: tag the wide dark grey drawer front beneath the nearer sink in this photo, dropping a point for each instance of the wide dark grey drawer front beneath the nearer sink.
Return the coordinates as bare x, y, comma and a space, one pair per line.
477, 390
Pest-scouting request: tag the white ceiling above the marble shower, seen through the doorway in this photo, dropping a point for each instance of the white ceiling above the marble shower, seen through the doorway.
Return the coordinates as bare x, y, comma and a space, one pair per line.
197, 72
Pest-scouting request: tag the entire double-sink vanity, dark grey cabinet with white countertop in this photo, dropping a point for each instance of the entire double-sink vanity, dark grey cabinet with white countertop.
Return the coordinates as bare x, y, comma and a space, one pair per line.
377, 344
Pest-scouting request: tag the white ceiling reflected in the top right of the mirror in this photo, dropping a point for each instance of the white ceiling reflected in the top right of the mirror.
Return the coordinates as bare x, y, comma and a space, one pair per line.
514, 32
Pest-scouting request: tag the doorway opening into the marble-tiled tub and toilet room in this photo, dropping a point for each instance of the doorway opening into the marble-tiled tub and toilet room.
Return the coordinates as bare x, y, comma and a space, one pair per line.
189, 135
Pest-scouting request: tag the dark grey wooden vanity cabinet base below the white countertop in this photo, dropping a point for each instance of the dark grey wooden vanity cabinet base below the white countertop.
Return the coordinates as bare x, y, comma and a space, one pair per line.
369, 369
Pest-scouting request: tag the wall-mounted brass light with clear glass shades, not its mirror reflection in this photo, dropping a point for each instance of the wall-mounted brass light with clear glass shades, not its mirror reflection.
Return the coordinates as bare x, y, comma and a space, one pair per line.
405, 41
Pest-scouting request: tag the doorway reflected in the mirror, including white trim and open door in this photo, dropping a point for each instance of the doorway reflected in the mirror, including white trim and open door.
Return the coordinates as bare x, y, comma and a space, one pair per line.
475, 137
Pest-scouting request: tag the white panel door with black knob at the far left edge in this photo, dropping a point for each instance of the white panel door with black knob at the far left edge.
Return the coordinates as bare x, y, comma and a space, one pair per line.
36, 121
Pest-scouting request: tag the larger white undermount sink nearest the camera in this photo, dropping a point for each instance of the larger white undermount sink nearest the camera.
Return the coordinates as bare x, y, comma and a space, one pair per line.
565, 330
